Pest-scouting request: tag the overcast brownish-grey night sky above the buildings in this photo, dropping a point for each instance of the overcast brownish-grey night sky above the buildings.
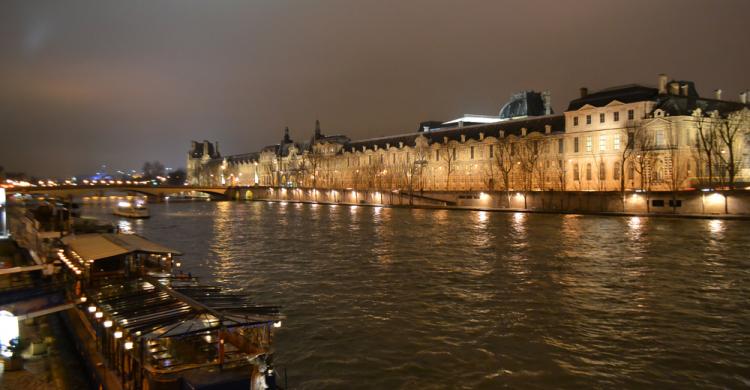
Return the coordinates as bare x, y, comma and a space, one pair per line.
85, 83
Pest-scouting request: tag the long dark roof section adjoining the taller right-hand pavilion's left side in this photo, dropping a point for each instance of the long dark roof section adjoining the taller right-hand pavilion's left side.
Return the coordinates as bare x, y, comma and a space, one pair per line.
511, 127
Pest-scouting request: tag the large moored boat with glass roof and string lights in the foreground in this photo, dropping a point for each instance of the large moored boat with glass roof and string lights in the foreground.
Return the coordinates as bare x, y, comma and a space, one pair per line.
142, 324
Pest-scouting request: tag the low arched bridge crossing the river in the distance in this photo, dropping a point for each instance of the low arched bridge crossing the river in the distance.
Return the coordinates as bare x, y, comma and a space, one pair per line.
159, 192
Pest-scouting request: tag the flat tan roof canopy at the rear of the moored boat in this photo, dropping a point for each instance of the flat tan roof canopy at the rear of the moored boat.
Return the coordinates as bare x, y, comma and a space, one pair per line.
99, 246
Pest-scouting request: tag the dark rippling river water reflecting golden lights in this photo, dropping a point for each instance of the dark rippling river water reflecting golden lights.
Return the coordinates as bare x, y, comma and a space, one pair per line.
380, 298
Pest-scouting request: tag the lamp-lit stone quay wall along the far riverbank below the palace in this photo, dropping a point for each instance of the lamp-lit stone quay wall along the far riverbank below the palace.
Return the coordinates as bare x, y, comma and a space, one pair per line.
710, 203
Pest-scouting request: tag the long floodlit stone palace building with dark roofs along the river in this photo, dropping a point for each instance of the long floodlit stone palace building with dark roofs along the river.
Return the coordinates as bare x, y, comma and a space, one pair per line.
633, 137
